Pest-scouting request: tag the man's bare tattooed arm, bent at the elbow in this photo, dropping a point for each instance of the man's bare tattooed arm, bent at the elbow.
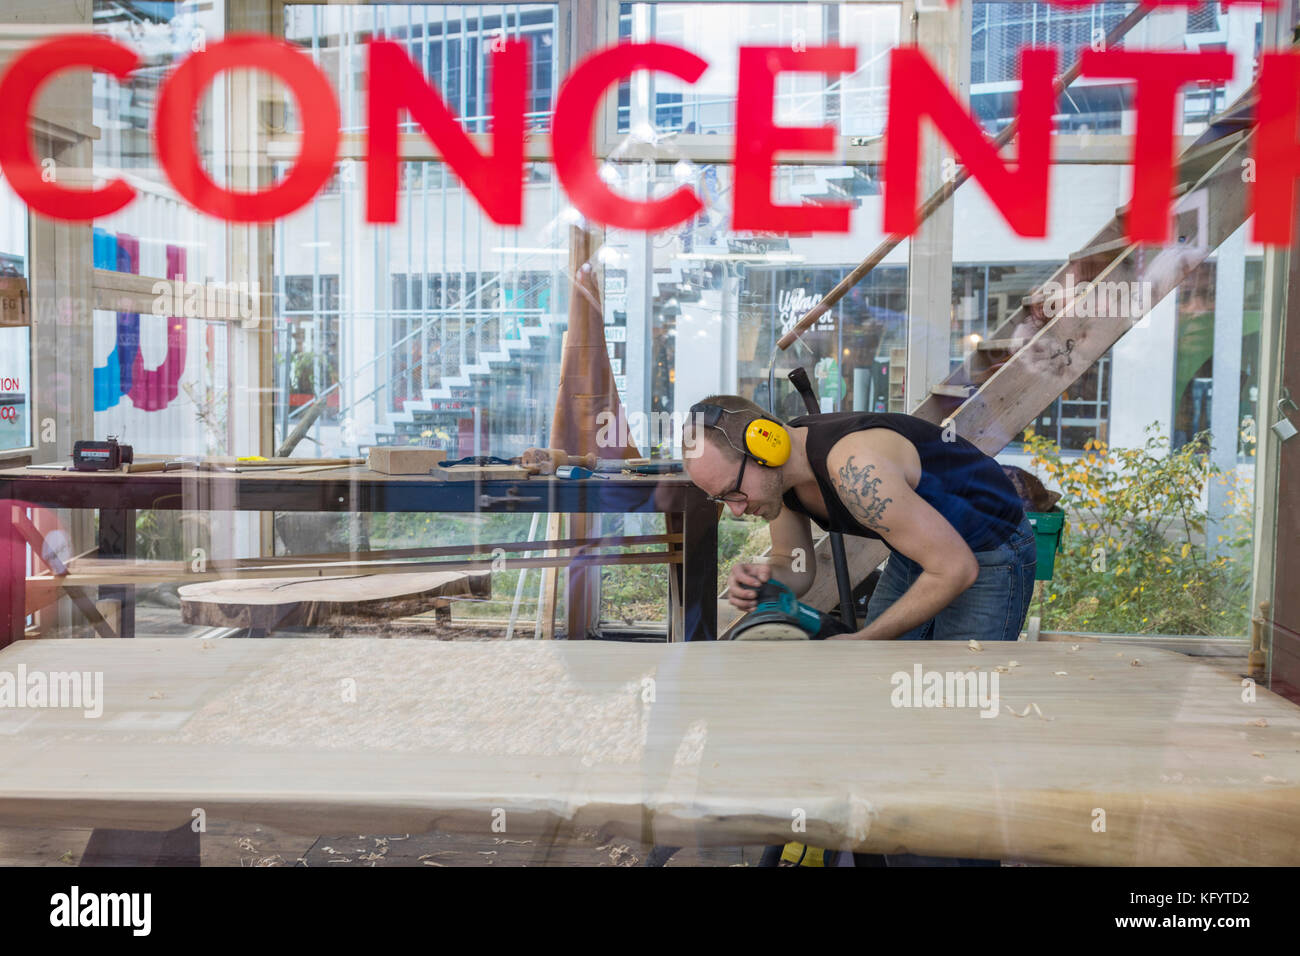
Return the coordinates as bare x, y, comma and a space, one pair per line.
877, 494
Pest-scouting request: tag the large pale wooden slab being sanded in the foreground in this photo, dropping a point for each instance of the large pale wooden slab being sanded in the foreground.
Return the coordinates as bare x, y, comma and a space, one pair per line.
705, 743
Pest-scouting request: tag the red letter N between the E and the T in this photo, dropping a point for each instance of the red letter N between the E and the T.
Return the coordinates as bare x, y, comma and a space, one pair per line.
917, 90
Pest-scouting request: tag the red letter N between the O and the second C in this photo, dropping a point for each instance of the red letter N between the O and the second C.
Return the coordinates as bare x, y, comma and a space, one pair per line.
496, 180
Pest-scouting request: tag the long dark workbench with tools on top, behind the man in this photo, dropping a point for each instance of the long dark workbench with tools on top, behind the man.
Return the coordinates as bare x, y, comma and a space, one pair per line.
357, 490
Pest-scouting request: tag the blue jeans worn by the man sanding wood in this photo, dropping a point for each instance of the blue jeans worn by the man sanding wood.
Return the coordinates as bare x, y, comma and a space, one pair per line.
993, 609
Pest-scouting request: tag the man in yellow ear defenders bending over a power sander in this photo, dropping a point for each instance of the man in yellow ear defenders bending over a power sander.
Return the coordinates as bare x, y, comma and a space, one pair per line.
963, 553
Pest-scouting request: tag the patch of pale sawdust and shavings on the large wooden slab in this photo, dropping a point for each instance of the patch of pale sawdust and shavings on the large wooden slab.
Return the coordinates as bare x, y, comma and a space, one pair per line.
406, 699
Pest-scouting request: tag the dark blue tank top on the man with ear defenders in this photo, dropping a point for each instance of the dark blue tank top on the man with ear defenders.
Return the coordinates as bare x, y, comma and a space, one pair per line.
959, 481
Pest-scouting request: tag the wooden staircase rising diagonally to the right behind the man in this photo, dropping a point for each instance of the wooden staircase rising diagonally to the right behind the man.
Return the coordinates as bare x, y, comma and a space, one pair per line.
1013, 377
